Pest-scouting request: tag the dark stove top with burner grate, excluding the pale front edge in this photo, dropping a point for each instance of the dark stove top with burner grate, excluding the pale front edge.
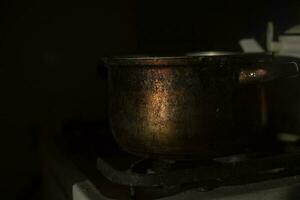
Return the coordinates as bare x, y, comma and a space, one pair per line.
115, 172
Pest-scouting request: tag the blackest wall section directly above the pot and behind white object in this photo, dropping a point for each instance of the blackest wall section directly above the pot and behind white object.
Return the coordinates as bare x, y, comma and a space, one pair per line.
179, 26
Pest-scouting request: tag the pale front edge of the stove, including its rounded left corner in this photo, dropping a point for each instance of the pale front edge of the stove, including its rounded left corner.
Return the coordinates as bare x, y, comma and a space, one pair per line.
283, 188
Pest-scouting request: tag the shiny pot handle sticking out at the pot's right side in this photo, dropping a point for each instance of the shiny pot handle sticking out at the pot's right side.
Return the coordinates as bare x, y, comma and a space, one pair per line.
274, 71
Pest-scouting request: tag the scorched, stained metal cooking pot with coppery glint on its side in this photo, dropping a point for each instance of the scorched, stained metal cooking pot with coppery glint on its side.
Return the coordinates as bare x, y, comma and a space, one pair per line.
186, 106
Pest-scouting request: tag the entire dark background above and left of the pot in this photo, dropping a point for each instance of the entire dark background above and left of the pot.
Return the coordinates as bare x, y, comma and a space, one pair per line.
50, 51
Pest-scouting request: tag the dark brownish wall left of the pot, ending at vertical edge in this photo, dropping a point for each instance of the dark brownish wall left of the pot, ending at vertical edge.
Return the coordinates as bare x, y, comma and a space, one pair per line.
48, 72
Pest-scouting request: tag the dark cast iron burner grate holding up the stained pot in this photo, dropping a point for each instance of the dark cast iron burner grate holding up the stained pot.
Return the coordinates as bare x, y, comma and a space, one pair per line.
167, 177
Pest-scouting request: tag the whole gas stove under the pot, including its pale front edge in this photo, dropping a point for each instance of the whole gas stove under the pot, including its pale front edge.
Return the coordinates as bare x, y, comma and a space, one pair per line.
107, 172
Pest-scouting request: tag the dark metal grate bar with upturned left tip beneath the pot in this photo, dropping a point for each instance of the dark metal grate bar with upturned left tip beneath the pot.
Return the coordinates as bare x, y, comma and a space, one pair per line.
207, 175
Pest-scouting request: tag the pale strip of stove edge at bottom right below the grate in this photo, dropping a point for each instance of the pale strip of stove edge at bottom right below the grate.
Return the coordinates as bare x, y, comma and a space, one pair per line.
278, 189
